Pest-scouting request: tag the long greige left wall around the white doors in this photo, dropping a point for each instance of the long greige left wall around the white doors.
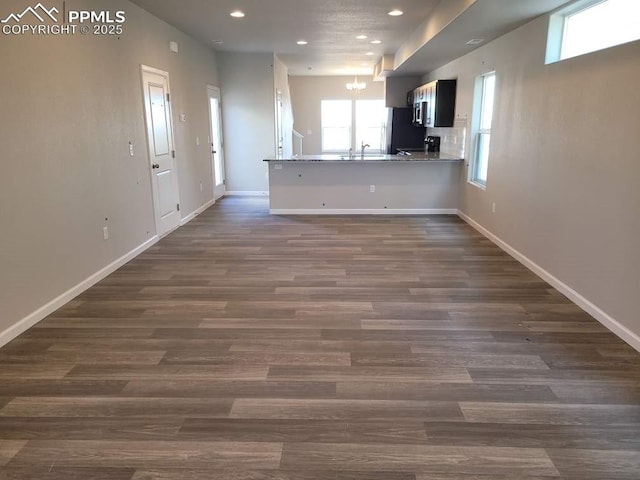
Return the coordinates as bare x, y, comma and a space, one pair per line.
68, 109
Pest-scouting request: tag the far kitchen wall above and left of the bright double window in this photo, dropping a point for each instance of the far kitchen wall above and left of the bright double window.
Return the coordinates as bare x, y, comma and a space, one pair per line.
308, 92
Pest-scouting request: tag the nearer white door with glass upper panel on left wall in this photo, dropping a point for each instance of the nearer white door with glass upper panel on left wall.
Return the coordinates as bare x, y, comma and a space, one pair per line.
164, 174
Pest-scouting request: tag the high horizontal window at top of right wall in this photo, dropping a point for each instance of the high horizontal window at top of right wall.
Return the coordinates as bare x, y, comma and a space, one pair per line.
590, 25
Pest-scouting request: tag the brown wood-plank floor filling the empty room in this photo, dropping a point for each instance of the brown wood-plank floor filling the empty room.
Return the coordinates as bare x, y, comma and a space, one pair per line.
246, 346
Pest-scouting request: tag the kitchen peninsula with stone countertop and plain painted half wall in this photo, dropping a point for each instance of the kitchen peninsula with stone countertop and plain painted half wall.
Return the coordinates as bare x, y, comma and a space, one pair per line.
374, 184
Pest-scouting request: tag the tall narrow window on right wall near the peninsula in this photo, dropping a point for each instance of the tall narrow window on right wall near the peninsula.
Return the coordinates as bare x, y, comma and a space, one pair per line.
483, 117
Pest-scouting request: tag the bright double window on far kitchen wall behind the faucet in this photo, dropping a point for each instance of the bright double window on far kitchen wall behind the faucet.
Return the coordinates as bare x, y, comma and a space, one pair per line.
347, 124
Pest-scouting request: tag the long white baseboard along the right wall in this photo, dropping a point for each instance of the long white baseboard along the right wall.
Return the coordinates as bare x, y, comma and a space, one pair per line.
603, 317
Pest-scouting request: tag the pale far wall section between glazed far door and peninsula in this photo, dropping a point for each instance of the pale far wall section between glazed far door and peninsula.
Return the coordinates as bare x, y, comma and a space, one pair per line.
248, 116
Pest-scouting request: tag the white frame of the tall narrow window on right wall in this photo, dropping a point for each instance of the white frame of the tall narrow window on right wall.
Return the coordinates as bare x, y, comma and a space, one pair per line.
481, 132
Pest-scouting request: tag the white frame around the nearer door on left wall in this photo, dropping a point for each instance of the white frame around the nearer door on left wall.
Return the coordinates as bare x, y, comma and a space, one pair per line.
160, 231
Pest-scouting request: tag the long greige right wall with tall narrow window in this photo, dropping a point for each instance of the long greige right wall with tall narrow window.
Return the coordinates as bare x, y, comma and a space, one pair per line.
564, 164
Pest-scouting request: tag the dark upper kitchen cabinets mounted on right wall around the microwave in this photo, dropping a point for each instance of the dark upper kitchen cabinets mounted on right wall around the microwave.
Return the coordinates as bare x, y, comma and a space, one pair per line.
438, 99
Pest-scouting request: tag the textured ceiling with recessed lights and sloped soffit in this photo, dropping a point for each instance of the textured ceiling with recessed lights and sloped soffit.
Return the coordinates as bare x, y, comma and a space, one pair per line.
428, 35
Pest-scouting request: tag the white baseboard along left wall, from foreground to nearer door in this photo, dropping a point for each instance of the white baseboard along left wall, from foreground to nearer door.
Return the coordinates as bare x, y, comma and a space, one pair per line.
30, 320
